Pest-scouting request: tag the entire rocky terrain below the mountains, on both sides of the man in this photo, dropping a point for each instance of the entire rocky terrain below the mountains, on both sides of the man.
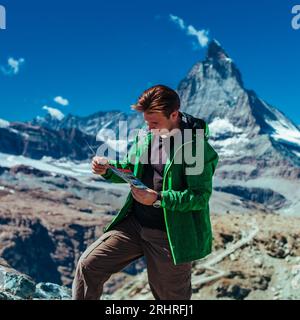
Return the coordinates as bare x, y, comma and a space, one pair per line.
45, 225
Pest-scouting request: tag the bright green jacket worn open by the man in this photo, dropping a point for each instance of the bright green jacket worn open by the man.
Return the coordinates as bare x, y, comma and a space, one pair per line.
185, 198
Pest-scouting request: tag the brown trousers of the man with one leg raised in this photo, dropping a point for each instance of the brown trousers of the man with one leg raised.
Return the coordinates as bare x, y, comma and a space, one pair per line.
117, 248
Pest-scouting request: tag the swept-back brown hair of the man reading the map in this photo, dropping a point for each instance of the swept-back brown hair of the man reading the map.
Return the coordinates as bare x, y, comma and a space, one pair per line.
158, 98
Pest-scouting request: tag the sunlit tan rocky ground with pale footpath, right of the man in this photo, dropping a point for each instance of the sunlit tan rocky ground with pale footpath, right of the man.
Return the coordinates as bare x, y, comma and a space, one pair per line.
265, 267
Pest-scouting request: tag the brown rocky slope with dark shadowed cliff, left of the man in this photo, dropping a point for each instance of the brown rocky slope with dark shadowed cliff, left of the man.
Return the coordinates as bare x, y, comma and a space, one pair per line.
47, 220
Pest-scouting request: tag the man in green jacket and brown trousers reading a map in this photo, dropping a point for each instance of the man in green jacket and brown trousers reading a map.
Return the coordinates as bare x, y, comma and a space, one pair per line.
169, 222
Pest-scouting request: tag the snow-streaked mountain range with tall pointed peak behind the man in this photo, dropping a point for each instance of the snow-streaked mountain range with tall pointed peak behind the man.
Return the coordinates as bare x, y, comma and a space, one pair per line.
259, 146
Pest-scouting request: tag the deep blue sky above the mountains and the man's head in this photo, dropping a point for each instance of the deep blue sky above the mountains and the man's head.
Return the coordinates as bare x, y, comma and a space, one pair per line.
100, 55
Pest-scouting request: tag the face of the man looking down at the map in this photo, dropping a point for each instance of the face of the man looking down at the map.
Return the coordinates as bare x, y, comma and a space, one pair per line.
160, 123
